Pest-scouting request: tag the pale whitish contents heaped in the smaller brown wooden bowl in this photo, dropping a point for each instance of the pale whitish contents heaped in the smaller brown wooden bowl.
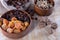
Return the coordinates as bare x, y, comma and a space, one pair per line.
44, 4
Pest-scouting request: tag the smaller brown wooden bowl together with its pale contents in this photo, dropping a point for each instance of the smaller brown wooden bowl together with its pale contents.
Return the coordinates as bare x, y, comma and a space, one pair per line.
44, 7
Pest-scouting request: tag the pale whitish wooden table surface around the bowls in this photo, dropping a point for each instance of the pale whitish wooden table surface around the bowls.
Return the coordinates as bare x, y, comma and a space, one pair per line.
37, 33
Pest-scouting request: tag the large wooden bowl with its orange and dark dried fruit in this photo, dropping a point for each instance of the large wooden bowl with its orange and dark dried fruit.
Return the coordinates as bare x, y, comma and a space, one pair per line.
15, 23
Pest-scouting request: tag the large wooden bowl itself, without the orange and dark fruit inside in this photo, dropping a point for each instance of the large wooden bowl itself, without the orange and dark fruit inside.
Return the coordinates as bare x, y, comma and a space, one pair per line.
21, 34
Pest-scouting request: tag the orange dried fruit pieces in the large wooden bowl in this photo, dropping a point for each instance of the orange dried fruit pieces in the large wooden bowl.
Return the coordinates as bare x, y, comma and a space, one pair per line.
14, 26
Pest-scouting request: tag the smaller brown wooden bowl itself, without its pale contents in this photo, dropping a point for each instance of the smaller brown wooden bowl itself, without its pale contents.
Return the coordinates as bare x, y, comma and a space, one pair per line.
43, 12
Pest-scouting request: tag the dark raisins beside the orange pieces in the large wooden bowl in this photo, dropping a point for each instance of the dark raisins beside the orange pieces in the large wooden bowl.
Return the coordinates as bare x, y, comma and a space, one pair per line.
18, 14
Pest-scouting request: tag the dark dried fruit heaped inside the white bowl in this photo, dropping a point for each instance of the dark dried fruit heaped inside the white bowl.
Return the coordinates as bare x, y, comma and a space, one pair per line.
16, 3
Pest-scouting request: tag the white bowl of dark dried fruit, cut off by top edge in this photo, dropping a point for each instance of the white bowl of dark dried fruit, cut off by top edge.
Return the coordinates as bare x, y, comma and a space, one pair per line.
15, 4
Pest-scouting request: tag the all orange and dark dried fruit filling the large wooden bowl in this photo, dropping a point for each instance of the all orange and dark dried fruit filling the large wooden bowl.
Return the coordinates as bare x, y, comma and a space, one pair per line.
16, 21
